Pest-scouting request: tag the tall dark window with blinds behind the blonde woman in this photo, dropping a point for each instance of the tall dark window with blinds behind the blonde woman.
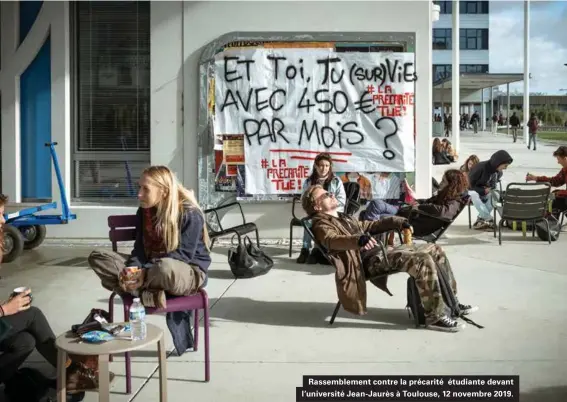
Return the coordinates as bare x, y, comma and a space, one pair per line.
112, 97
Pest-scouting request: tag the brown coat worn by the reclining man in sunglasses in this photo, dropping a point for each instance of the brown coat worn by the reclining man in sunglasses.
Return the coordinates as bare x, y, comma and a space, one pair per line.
340, 236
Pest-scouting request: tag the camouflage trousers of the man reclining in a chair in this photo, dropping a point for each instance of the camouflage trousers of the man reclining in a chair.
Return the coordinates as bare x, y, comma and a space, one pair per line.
420, 262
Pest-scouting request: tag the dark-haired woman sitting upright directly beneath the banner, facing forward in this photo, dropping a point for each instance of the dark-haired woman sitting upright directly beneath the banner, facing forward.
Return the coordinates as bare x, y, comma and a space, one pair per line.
323, 175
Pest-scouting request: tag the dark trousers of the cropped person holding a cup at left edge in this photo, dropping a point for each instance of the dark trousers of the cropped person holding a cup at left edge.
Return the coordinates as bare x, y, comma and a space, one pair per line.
30, 330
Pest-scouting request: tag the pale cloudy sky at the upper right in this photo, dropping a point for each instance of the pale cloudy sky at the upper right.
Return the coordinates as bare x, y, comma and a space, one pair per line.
548, 43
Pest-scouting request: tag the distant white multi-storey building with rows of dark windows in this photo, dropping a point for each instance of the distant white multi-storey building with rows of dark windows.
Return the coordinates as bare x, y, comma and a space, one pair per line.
474, 20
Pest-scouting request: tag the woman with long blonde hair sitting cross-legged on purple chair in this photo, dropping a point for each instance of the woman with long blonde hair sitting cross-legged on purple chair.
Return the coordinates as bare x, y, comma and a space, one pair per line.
171, 253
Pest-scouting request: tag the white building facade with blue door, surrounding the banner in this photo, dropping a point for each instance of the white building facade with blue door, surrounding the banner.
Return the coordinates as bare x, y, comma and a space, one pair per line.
117, 86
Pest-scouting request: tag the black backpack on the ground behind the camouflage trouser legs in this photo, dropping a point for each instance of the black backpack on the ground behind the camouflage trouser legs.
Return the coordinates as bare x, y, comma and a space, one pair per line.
415, 307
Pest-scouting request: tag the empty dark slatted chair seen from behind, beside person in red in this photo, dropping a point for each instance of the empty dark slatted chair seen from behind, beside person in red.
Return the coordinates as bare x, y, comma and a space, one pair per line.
524, 202
